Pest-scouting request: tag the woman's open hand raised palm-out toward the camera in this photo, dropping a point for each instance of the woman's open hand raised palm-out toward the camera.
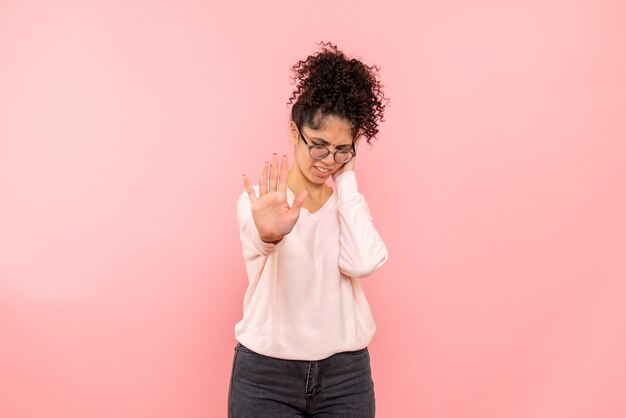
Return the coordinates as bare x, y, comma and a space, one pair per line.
272, 215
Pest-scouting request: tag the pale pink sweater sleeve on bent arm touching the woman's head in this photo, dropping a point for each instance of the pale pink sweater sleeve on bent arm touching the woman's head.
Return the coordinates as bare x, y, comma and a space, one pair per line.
362, 250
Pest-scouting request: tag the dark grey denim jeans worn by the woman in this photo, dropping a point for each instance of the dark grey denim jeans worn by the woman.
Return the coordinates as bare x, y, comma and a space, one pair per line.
266, 387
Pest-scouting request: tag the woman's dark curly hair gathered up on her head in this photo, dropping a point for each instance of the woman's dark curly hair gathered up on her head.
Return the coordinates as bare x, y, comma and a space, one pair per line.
330, 84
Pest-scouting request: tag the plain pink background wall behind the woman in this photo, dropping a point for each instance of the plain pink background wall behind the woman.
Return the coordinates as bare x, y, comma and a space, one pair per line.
498, 183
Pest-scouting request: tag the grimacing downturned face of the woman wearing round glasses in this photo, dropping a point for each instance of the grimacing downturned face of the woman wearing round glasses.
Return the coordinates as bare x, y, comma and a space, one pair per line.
335, 134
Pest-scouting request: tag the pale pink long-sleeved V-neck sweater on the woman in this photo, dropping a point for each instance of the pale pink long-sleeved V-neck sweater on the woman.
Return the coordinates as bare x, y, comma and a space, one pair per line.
304, 299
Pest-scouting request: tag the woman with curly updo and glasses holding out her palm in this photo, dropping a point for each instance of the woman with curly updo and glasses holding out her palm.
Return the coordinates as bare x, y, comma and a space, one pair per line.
306, 324
